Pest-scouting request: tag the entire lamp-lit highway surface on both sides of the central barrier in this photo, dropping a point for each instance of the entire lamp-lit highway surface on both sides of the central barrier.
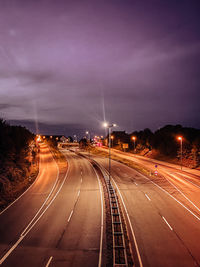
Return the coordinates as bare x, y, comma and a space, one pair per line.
60, 219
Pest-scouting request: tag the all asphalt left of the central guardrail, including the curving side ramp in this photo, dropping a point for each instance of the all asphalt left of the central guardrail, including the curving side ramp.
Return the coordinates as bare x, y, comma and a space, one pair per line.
59, 220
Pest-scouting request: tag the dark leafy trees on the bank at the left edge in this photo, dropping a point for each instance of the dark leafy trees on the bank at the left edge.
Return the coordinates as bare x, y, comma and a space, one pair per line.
17, 152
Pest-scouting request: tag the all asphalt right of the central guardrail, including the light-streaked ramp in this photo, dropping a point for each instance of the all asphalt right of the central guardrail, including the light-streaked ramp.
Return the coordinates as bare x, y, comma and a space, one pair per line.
165, 224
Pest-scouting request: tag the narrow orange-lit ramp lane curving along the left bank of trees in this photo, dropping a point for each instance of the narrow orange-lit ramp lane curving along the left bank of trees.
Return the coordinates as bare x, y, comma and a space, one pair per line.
17, 216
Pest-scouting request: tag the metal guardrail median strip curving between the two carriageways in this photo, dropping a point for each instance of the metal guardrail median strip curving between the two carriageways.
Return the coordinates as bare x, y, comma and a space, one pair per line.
115, 223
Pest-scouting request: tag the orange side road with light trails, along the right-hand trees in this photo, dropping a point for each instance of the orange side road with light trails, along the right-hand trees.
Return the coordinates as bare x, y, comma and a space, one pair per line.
184, 183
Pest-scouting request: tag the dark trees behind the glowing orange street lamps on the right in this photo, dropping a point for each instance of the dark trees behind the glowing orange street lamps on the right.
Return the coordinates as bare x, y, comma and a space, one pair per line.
163, 142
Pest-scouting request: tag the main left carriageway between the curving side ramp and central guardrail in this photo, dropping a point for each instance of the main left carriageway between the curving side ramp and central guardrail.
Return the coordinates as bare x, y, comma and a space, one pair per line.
69, 232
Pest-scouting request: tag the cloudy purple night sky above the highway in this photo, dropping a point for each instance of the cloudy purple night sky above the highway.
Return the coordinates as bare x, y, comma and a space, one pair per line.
65, 66
